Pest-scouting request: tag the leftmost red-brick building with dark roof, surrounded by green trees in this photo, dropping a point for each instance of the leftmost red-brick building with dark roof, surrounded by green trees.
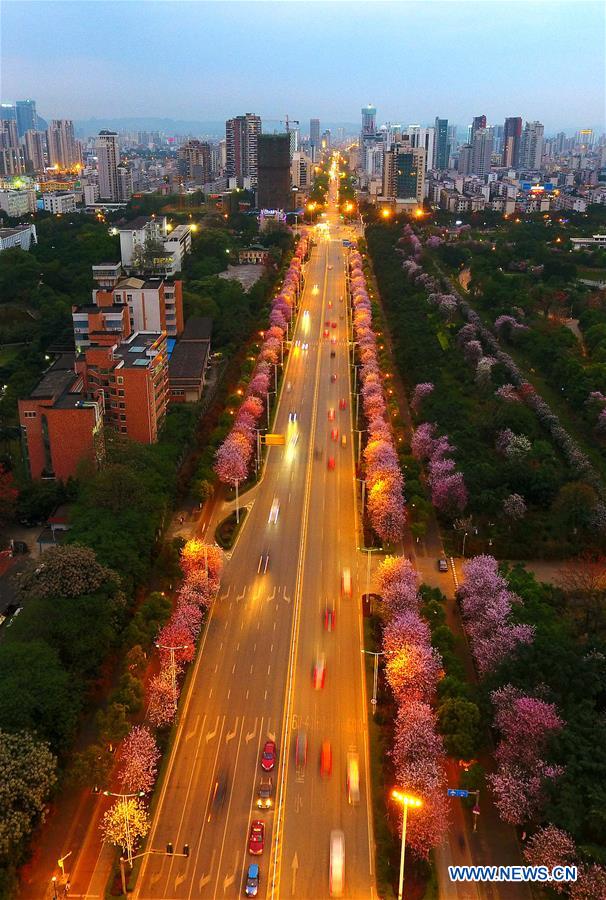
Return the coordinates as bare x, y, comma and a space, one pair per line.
60, 425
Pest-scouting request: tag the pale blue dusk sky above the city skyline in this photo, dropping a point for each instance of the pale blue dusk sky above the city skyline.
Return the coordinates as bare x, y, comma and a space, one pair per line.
207, 61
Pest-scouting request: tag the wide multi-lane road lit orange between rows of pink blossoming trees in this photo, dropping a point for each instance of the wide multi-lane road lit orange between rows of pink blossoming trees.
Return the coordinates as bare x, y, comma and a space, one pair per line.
252, 681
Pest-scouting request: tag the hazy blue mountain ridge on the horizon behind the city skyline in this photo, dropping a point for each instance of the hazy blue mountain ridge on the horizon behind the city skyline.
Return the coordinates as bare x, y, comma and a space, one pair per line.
172, 127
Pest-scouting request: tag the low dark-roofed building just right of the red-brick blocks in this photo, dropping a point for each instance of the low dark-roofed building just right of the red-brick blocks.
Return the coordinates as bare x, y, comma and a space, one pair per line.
189, 360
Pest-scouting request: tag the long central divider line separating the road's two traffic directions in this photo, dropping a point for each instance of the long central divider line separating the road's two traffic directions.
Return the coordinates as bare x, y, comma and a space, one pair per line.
275, 857
